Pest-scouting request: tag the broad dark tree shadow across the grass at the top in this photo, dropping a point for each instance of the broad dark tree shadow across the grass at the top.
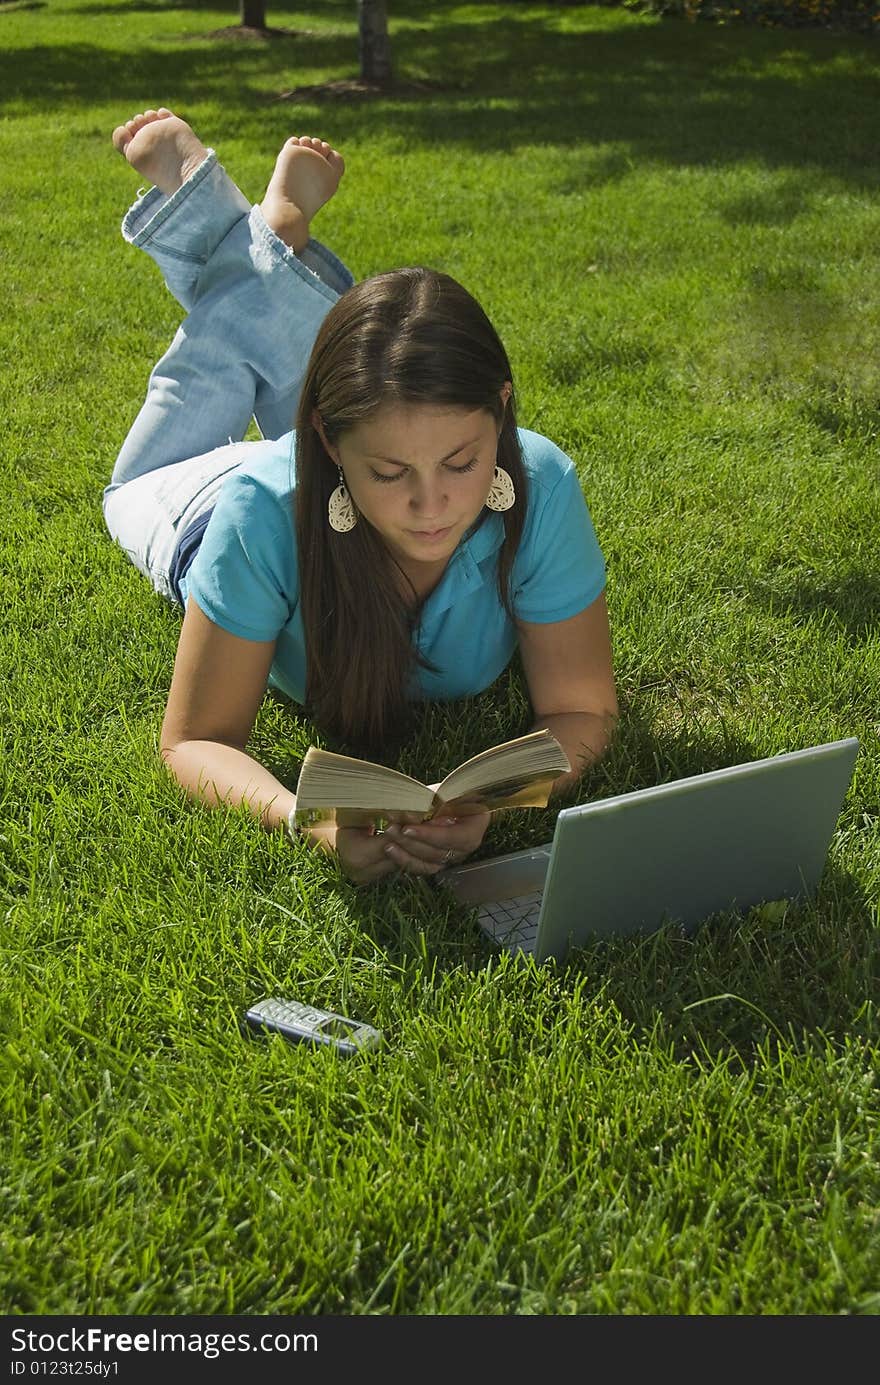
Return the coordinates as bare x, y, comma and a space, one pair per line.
674, 93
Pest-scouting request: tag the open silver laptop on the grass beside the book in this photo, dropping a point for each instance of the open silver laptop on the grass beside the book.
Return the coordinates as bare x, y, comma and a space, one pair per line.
680, 852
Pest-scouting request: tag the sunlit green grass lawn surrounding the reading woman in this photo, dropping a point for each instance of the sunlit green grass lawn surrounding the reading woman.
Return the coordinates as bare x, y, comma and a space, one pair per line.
677, 231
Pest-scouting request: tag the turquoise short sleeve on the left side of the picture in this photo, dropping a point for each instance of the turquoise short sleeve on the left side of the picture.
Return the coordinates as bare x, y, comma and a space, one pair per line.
245, 575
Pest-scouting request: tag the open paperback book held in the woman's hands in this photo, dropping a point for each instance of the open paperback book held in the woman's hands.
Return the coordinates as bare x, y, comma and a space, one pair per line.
357, 793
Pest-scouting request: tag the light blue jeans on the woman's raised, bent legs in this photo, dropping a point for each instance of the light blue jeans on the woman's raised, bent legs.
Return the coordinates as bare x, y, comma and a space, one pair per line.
254, 310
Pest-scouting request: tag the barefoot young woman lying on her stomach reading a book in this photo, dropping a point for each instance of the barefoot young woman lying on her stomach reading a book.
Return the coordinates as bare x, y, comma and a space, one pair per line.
397, 545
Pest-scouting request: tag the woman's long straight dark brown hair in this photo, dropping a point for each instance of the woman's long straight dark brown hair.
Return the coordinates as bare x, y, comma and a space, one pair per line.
408, 337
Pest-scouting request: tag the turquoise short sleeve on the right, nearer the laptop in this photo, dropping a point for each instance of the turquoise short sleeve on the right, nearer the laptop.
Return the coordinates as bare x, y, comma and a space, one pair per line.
561, 567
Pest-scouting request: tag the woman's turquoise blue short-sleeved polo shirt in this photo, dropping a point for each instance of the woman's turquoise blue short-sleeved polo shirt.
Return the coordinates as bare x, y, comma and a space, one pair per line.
246, 580
